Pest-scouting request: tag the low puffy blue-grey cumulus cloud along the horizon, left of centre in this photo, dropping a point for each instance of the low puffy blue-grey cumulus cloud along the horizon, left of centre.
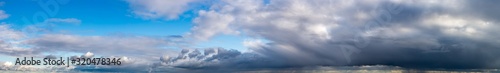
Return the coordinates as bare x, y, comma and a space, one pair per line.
216, 59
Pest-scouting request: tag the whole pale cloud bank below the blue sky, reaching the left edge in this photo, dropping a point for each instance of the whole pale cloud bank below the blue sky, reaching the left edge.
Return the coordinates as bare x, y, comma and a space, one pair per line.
136, 52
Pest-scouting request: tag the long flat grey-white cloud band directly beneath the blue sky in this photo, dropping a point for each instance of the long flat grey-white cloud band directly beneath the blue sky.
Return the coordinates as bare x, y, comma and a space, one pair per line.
104, 45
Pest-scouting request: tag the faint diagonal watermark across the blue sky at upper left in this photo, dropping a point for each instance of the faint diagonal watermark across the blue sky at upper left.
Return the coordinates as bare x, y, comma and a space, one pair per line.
50, 8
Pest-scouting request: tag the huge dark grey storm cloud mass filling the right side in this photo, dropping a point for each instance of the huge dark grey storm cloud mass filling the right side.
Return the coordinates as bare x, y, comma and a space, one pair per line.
413, 34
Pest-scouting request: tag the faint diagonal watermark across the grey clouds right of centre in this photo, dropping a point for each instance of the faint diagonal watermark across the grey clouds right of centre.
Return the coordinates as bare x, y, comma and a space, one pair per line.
385, 14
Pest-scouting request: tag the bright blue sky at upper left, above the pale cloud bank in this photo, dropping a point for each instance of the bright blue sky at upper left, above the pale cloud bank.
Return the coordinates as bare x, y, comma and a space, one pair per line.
112, 16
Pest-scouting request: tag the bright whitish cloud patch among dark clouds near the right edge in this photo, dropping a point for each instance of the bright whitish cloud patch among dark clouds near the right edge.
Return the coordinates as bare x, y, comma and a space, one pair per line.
458, 26
